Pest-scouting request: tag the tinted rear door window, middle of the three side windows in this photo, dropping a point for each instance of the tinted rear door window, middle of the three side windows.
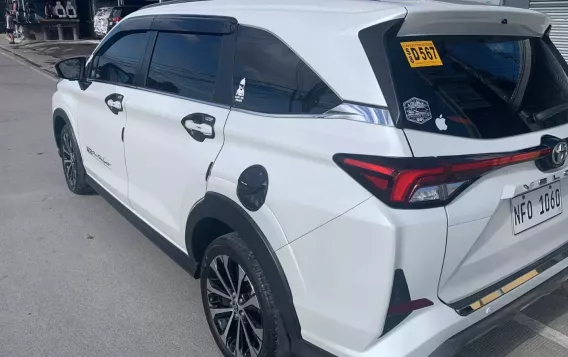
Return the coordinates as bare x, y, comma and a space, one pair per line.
185, 64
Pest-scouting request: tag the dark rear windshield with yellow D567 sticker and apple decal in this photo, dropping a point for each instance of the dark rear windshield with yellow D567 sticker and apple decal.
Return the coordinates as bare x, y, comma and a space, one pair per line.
484, 87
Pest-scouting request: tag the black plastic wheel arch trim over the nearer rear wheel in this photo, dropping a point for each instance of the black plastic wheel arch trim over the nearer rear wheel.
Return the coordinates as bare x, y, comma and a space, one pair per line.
219, 214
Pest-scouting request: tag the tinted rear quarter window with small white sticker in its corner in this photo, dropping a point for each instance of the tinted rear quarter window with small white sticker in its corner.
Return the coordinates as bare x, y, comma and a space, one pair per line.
274, 79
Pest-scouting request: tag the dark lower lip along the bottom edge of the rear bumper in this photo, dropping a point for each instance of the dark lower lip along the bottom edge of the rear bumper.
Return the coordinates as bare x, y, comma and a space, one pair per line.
455, 343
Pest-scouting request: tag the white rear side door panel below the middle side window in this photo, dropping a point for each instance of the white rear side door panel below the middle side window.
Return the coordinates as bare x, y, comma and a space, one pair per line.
154, 139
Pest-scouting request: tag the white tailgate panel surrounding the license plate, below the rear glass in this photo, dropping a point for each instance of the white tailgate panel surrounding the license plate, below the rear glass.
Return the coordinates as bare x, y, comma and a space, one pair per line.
482, 248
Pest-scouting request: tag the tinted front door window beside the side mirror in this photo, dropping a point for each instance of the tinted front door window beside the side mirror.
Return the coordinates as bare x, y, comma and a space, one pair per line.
119, 62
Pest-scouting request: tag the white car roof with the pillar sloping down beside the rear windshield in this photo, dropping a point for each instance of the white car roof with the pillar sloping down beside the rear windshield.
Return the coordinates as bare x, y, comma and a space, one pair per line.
324, 33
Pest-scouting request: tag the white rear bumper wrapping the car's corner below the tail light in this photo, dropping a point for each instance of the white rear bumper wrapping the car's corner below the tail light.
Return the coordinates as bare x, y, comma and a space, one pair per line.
335, 317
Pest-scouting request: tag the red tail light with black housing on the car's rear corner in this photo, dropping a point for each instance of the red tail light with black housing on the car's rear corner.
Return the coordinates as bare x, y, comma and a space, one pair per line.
426, 182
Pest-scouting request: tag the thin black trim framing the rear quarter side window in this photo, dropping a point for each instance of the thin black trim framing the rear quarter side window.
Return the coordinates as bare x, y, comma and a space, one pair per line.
273, 115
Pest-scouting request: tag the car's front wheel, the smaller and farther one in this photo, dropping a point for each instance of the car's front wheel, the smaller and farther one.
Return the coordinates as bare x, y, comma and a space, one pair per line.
72, 162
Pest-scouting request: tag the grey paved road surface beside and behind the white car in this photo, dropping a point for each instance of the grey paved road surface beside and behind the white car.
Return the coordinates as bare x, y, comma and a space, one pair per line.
76, 279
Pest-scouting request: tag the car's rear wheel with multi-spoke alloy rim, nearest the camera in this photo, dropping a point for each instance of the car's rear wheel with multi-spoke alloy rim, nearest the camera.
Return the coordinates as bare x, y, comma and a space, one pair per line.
242, 314
